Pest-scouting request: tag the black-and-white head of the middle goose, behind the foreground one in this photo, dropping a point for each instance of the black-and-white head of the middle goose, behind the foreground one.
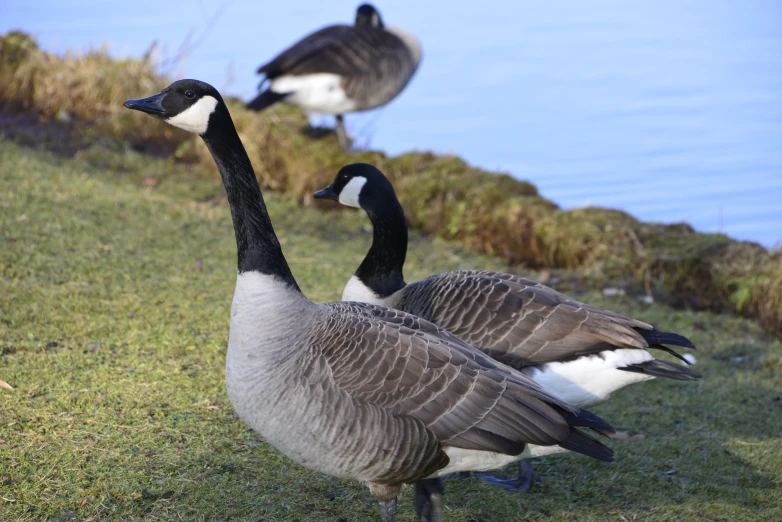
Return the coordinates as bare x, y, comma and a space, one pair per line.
358, 185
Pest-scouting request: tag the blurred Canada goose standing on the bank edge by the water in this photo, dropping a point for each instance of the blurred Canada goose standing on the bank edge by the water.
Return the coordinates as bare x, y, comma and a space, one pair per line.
342, 68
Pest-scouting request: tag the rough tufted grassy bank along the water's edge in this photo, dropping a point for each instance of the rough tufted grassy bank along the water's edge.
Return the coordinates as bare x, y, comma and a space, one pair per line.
442, 195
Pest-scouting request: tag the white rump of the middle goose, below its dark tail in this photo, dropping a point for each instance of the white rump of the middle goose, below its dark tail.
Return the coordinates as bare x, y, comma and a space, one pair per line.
589, 380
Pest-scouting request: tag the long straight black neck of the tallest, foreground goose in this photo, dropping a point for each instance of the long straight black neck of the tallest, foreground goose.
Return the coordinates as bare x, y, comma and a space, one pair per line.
257, 245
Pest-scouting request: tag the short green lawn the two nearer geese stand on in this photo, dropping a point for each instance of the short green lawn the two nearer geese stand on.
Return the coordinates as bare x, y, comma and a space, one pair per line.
114, 307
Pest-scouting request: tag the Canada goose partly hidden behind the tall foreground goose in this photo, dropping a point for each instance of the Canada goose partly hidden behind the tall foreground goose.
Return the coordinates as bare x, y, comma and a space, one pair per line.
579, 352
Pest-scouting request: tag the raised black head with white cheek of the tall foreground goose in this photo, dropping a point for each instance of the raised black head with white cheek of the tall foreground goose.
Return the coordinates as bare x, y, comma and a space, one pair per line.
188, 104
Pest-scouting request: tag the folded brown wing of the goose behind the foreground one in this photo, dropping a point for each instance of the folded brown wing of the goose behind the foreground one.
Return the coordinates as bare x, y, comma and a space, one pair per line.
518, 321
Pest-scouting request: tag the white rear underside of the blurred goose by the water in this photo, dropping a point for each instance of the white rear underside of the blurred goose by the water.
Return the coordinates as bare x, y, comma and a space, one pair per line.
319, 92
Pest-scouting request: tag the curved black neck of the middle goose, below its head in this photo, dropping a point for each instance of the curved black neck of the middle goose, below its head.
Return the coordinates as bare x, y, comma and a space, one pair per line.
381, 269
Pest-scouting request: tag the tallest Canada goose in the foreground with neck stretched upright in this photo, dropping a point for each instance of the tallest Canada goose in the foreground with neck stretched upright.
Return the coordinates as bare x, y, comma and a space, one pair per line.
356, 390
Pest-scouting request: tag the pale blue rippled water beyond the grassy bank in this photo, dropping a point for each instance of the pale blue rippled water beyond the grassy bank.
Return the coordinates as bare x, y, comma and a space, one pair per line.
670, 110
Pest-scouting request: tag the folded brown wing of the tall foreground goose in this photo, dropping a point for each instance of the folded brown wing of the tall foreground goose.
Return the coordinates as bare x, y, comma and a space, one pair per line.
413, 368
